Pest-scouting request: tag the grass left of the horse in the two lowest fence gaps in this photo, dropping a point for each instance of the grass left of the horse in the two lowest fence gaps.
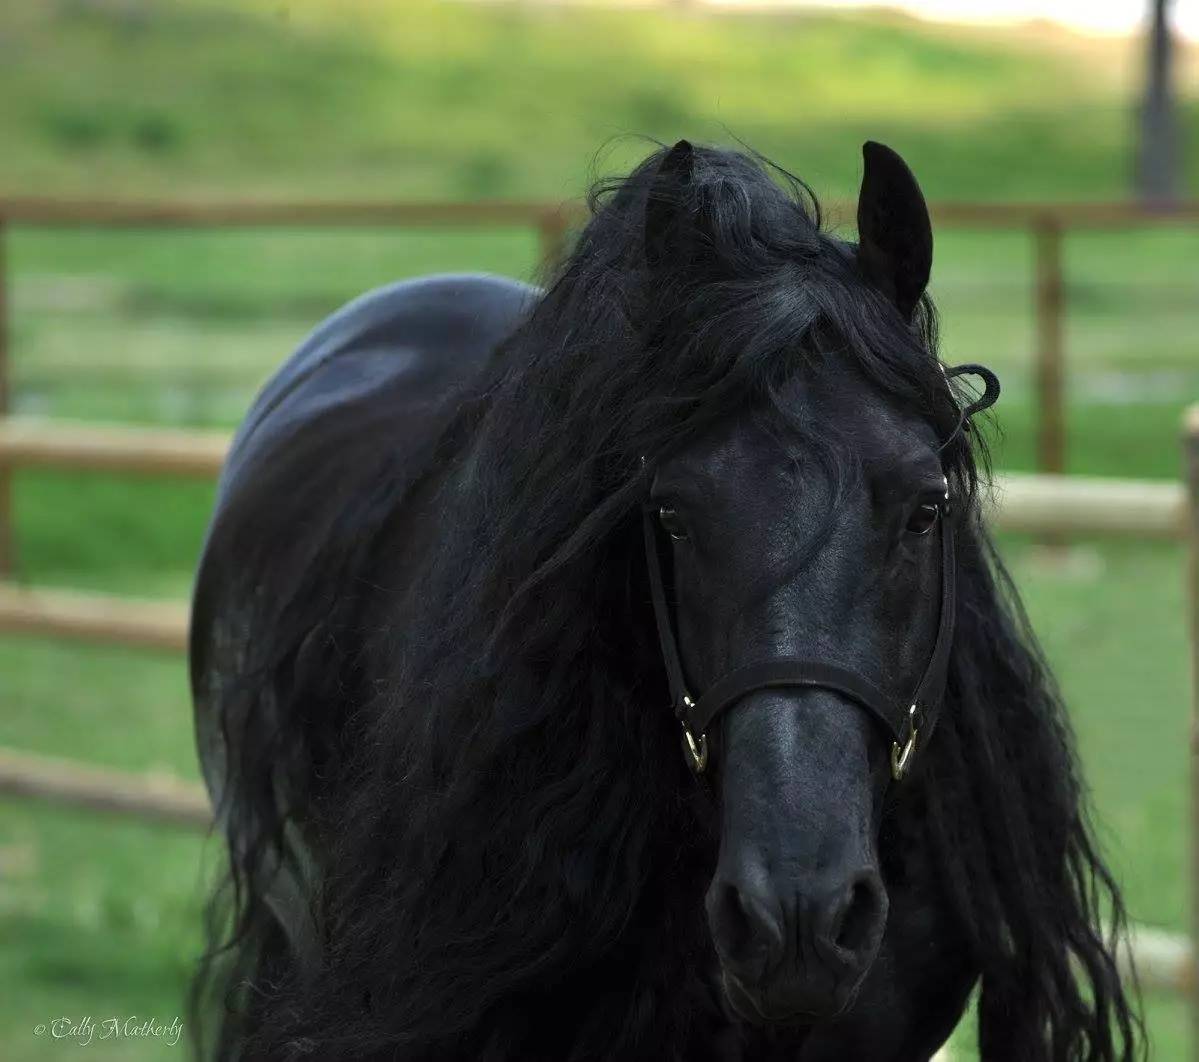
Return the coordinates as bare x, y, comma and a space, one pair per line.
99, 918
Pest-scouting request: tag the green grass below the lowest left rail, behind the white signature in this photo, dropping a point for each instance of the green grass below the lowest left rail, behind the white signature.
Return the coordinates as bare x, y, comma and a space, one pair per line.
99, 920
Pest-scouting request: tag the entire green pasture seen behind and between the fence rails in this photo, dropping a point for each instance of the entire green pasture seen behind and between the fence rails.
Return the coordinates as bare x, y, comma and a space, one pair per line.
179, 328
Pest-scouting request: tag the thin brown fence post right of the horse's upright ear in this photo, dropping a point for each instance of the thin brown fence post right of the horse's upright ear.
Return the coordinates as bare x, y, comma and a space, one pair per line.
1050, 353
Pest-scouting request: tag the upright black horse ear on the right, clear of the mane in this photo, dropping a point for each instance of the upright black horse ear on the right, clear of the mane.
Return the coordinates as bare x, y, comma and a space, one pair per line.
895, 237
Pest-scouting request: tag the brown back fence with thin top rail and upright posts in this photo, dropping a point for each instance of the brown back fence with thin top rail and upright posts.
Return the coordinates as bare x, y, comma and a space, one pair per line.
1047, 224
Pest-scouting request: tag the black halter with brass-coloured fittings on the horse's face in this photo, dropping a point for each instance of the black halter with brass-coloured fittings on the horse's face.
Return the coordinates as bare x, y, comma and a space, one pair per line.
903, 720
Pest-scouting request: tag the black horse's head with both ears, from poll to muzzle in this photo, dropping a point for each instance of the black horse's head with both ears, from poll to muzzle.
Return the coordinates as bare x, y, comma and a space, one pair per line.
811, 602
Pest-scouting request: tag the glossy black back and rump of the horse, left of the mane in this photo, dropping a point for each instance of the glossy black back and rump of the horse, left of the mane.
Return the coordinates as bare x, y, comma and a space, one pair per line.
327, 454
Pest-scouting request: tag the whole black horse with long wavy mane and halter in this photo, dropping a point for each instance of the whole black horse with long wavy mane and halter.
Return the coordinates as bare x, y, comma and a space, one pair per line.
472, 545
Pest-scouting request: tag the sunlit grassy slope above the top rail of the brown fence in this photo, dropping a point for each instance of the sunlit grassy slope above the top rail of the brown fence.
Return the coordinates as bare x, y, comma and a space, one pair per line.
457, 100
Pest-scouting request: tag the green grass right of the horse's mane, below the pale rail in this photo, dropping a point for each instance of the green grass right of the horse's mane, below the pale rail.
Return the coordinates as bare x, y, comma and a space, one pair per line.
1113, 624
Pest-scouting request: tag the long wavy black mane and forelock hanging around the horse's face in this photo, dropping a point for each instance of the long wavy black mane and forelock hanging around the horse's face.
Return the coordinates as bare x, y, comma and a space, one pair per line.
501, 806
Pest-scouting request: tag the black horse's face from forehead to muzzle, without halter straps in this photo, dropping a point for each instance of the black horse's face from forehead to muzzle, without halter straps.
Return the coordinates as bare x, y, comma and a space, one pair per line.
781, 552
